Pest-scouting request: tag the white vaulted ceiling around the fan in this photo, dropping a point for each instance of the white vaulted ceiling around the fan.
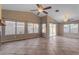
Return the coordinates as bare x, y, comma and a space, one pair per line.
70, 9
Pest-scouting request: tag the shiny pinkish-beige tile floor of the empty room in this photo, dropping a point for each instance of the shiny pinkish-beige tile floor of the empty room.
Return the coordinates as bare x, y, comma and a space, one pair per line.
42, 46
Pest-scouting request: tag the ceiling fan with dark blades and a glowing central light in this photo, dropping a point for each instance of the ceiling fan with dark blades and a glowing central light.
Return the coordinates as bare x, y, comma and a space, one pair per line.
40, 9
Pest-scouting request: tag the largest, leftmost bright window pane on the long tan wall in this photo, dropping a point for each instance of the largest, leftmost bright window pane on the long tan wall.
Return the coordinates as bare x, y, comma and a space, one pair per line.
9, 28
